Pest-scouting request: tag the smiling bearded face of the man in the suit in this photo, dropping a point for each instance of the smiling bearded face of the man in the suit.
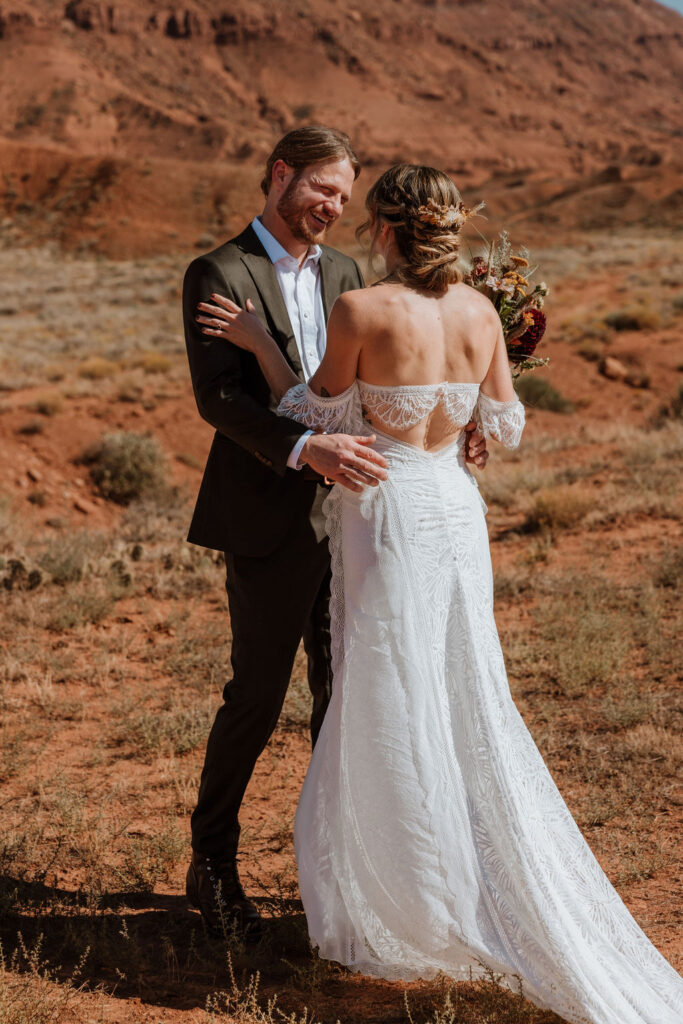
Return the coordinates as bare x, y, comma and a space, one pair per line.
314, 199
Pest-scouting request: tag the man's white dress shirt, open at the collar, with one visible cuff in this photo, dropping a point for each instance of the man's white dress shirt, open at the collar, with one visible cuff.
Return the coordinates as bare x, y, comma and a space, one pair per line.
304, 300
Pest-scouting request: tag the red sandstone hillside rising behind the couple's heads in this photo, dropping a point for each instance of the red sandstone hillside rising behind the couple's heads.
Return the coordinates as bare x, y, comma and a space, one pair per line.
138, 125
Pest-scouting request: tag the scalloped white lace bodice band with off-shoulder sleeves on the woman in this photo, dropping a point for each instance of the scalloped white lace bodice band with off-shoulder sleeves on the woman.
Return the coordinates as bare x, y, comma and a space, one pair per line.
402, 407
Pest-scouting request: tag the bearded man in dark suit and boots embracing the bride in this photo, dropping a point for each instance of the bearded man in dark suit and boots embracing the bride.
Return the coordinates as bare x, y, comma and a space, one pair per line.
261, 499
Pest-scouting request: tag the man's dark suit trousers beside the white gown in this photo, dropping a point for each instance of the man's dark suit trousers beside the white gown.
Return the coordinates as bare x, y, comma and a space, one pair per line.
275, 602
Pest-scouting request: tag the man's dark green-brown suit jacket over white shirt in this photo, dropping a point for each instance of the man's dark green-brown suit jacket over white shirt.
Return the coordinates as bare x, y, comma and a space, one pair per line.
249, 498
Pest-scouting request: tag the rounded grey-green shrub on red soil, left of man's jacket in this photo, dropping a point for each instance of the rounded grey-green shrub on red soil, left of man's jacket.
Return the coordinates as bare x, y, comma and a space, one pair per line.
125, 466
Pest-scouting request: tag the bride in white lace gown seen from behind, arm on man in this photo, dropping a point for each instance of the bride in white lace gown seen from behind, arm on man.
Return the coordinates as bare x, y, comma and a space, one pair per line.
431, 836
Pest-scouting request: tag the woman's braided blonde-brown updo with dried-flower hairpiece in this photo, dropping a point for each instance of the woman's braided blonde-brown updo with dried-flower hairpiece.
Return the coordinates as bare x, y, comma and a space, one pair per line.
426, 212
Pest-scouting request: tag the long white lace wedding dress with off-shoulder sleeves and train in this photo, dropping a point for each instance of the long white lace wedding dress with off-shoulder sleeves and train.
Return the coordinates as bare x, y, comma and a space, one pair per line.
431, 836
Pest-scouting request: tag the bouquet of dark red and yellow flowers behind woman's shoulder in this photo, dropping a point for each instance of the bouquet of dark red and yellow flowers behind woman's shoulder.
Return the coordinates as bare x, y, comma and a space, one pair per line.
504, 277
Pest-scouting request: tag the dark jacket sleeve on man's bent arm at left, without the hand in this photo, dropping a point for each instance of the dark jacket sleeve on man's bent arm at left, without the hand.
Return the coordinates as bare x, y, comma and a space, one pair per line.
218, 379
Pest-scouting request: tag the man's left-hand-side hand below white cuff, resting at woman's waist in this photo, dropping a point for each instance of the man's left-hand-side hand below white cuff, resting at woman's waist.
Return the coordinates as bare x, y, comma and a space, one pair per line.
345, 459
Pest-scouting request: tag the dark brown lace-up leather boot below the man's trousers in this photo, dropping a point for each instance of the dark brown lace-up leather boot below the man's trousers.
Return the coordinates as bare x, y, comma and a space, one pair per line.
215, 889
